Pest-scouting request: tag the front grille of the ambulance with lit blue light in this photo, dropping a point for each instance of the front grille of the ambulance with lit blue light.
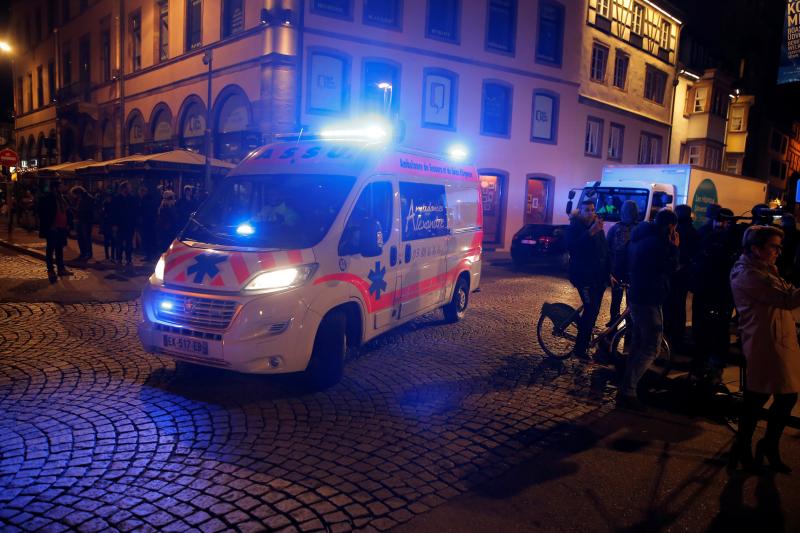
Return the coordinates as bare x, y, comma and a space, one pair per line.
193, 311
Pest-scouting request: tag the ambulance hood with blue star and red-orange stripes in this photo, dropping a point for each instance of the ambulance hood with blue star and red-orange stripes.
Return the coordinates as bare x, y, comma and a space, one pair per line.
202, 267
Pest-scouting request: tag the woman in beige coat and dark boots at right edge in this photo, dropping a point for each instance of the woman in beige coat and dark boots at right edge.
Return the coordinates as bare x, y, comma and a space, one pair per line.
769, 341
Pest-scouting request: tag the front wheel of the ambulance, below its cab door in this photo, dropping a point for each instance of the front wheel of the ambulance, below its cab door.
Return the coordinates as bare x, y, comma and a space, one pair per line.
326, 366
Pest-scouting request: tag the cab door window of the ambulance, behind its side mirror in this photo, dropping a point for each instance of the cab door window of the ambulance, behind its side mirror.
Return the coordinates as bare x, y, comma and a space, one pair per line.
375, 203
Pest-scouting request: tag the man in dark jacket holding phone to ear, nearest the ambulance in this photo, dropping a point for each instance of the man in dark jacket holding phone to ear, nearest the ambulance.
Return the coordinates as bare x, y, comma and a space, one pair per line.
589, 268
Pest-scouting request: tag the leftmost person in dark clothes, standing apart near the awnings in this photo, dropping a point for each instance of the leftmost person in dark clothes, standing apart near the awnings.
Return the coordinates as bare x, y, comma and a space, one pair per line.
53, 209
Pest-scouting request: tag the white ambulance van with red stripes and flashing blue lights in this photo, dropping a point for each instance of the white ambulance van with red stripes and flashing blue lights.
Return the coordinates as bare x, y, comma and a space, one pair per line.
309, 248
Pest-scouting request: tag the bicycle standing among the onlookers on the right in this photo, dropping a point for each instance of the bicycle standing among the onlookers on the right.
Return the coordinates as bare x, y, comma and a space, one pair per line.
557, 333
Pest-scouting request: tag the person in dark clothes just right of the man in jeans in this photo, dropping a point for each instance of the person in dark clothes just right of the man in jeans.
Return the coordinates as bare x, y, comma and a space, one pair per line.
675, 306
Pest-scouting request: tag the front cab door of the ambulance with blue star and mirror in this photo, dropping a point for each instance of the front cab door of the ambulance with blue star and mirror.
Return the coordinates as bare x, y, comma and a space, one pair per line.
373, 213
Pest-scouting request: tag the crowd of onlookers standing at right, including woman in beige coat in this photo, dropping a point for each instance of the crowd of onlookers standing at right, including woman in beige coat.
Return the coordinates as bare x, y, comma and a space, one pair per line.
736, 269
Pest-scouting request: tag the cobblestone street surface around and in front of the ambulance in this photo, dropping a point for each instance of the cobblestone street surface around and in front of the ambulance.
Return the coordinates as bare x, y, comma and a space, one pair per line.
96, 435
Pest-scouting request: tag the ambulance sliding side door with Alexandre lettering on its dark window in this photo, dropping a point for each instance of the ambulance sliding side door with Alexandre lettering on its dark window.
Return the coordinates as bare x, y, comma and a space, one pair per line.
423, 250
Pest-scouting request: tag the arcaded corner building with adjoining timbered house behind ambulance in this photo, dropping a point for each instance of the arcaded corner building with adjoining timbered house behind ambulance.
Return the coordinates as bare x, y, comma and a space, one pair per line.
543, 93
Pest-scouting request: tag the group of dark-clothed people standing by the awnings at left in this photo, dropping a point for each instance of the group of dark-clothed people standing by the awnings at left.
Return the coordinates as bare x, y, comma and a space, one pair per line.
147, 219
